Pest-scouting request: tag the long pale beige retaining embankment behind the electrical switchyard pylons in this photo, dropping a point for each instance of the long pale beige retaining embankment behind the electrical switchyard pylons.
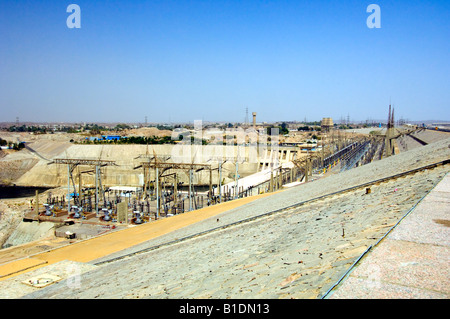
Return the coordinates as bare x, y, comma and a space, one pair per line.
127, 157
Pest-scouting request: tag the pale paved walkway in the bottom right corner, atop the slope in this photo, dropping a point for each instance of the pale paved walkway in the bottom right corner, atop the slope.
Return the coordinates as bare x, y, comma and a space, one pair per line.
413, 260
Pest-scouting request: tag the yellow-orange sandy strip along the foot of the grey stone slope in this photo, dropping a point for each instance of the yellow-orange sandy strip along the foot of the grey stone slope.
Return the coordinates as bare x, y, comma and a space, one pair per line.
97, 247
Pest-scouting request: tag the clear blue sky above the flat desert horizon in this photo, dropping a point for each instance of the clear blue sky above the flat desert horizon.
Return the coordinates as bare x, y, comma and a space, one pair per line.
190, 60
